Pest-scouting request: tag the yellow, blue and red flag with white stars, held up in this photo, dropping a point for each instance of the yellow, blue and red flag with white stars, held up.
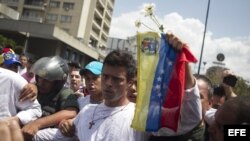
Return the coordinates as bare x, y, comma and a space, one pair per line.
160, 83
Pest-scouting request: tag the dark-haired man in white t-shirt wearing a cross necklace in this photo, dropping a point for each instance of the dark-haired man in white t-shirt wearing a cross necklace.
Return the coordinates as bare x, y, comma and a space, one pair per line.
111, 120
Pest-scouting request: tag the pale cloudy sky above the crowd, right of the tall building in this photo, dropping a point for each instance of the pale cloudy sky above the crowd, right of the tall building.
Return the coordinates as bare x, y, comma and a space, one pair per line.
228, 29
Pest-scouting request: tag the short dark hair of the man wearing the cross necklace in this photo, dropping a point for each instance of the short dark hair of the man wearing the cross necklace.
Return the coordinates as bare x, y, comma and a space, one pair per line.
118, 58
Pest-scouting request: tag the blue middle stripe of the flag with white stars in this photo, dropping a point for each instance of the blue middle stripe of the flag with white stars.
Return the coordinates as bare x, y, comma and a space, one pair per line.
167, 58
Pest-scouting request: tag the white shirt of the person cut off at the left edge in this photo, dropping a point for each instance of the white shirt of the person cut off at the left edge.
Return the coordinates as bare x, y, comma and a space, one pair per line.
11, 85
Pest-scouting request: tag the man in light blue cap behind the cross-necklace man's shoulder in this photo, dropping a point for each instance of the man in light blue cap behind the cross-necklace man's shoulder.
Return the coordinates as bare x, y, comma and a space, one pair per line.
92, 75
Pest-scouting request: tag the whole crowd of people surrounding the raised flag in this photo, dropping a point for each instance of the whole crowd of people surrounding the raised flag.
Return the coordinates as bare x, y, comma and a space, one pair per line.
49, 99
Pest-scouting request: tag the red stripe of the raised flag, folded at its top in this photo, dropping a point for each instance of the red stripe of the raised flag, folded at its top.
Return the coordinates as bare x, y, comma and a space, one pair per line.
172, 103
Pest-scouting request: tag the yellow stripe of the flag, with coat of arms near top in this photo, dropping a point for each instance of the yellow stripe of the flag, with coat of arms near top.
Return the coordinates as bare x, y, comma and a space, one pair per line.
147, 63
